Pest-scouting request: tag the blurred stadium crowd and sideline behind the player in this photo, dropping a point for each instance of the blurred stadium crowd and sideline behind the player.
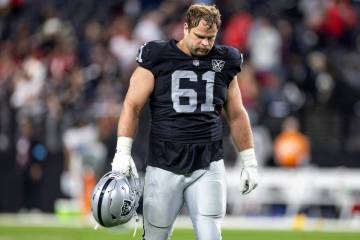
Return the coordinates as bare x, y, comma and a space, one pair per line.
64, 71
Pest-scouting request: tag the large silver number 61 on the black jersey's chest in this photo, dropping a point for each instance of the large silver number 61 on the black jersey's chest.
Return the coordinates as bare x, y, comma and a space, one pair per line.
191, 94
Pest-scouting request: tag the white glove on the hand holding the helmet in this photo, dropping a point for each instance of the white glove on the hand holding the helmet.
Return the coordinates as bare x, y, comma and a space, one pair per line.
123, 162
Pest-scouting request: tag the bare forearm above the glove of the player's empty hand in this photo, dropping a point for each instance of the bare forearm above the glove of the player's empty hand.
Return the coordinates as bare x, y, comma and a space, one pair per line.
241, 131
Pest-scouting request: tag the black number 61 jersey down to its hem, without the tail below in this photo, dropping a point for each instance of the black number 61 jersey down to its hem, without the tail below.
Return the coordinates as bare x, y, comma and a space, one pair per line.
189, 92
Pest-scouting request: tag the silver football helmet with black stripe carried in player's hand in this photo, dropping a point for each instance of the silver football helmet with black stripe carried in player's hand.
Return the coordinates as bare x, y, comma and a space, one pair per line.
115, 199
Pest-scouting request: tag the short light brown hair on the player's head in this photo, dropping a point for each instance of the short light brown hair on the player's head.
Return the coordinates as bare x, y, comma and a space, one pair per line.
197, 12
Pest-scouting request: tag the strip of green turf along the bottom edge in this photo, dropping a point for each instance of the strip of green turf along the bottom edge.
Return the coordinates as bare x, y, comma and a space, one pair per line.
39, 233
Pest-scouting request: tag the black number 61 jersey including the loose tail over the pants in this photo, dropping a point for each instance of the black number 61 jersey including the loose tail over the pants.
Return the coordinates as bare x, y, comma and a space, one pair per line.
186, 104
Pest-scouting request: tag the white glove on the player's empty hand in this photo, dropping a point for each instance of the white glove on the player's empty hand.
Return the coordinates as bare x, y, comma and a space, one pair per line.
249, 173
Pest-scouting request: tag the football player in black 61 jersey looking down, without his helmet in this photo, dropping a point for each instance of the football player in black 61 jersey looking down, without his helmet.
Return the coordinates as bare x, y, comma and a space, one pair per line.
188, 83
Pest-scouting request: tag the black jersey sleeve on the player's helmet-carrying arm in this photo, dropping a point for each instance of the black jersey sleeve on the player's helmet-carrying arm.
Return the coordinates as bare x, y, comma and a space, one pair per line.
148, 56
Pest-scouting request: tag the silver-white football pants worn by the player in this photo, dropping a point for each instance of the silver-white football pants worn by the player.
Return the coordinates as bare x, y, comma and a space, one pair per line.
203, 192
